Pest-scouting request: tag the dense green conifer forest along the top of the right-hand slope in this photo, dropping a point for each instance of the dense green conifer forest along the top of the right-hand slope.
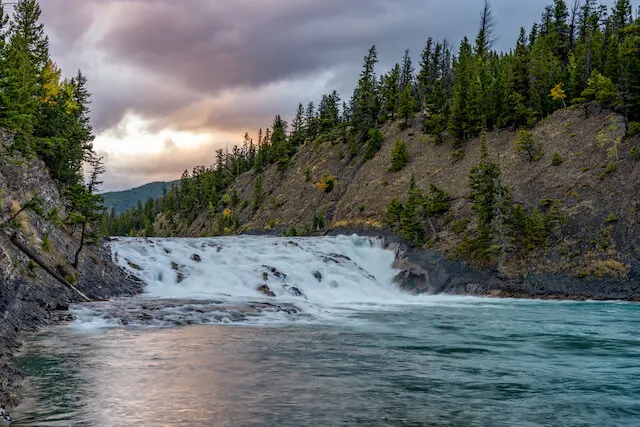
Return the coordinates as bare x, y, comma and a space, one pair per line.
575, 54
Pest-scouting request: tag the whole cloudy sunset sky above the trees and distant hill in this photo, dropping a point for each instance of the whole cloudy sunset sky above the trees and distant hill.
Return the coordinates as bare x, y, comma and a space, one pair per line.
173, 80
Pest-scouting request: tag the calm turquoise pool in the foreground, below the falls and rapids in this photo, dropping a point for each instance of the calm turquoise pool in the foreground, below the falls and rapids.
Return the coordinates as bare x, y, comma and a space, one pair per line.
443, 362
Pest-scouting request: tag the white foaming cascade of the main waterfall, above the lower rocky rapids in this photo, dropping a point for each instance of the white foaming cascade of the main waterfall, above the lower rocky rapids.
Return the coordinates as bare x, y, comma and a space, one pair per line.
352, 270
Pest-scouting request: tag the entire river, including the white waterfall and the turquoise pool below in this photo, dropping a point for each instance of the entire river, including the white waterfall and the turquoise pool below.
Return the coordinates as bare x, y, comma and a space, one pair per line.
203, 348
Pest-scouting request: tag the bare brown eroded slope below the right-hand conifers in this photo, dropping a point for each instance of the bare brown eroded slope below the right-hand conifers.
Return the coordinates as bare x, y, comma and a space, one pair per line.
600, 240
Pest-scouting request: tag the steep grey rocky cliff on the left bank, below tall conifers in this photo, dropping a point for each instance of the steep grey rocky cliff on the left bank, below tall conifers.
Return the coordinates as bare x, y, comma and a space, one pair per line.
28, 294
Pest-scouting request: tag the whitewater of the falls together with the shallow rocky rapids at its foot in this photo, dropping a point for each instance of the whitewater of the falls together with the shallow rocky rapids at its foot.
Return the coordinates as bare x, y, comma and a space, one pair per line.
217, 280
